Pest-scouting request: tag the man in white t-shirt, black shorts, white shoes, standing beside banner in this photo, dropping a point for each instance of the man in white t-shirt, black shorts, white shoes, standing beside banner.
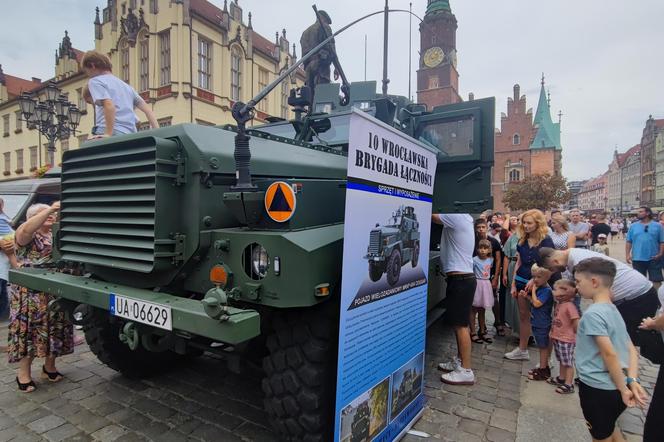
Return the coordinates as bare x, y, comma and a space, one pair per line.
457, 243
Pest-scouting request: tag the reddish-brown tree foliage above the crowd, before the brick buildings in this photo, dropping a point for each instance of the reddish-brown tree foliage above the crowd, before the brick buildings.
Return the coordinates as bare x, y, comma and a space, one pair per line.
537, 192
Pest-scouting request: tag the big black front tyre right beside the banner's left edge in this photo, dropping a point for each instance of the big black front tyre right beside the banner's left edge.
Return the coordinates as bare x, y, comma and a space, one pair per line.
300, 373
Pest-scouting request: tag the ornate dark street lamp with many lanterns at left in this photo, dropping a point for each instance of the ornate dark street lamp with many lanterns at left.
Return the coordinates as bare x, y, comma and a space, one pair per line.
54, 117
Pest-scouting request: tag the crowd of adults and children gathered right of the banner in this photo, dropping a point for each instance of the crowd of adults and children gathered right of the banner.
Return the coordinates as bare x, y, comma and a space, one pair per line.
533, 272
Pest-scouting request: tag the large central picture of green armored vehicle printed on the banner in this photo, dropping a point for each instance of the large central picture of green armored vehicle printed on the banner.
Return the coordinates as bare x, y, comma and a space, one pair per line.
394, 245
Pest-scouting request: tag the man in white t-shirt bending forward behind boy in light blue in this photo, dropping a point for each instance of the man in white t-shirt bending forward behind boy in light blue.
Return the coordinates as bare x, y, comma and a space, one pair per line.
633, 295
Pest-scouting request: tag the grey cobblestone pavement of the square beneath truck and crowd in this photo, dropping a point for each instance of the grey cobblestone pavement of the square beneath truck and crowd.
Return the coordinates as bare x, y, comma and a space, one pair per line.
203, 400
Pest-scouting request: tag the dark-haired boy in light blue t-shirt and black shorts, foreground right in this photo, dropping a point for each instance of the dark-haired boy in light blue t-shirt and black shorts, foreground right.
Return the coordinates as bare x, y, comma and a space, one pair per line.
604, 353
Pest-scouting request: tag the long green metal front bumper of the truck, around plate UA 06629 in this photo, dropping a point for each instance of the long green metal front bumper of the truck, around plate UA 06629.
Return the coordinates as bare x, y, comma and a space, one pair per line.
188, 315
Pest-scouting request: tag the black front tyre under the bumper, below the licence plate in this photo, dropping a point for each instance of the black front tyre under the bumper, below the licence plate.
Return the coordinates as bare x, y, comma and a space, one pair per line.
102, 335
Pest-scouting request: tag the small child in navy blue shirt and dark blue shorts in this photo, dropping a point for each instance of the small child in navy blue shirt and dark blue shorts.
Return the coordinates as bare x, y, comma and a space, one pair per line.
541, 299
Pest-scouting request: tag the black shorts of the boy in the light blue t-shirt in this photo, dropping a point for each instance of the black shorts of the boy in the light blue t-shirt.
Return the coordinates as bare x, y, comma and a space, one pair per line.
601, 409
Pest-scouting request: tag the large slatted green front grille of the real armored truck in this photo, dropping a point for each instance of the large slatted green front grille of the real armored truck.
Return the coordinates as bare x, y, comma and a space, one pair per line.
108, 206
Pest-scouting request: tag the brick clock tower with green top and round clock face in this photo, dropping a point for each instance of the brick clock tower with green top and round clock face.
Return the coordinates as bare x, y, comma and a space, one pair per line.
437, 76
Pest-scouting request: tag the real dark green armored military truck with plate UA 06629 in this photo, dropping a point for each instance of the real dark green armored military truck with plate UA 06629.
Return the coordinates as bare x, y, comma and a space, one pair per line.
165, 248
